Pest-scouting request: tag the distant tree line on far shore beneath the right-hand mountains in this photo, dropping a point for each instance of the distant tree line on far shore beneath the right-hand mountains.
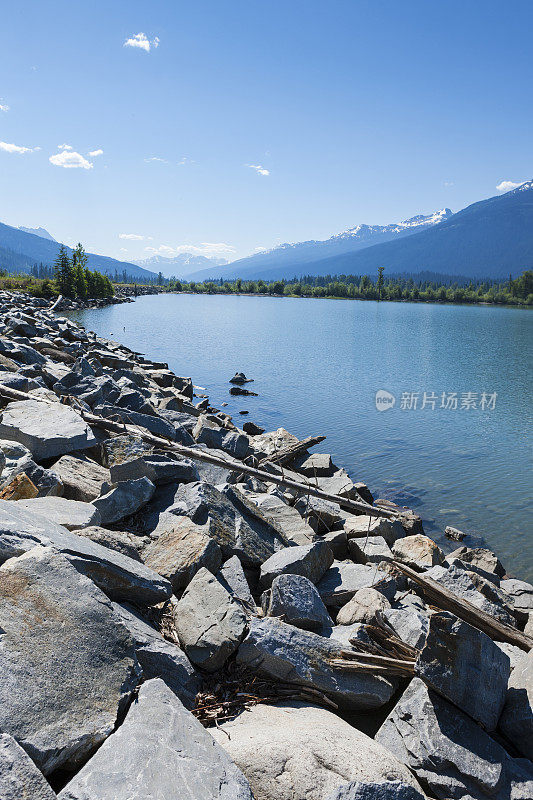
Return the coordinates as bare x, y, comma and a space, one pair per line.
509, 292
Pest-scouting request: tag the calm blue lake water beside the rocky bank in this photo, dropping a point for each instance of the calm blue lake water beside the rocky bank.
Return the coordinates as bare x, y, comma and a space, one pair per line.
317, 366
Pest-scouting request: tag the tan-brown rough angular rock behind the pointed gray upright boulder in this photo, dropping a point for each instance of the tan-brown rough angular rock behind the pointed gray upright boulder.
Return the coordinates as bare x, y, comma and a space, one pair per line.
180, 549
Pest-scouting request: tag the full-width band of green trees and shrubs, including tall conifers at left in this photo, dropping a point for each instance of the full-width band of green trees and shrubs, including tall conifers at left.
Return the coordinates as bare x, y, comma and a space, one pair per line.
70, 277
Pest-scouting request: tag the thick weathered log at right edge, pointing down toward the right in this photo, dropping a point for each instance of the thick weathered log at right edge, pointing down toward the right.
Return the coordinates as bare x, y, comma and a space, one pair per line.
449, 601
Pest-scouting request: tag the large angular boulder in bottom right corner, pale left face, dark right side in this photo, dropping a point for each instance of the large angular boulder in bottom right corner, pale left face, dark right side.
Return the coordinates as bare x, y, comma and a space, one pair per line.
449, 752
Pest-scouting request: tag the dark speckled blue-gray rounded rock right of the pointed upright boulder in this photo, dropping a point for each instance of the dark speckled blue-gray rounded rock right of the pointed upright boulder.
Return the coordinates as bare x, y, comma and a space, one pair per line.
296, 600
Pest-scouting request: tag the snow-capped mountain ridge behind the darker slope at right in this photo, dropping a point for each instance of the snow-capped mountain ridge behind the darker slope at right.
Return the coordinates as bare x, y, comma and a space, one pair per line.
290, 259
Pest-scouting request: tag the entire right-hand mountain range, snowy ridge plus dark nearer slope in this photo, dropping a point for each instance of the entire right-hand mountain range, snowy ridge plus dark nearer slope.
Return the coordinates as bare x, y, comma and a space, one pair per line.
491, 238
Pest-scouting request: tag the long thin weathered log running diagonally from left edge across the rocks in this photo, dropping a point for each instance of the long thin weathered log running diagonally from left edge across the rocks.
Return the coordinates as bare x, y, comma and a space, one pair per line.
196, 454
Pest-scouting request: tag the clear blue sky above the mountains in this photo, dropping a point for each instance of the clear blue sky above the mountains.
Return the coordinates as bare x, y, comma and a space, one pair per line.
273, 121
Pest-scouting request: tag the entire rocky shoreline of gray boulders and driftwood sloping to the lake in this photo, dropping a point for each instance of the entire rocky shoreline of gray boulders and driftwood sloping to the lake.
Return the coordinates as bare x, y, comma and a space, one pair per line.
198, 611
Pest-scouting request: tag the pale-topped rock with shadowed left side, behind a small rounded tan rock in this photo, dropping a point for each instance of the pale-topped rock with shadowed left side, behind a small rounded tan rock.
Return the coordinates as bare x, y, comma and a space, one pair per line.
343, 579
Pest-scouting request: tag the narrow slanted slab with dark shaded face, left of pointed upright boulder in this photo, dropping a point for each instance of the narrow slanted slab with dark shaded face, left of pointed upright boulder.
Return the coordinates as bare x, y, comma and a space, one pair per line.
158, 657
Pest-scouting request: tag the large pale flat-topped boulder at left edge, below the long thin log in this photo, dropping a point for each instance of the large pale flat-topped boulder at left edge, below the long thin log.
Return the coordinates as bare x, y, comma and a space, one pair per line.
46, 429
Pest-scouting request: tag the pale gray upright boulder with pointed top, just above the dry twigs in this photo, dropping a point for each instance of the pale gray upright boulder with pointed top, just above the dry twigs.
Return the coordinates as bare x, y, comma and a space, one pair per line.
209, 622
